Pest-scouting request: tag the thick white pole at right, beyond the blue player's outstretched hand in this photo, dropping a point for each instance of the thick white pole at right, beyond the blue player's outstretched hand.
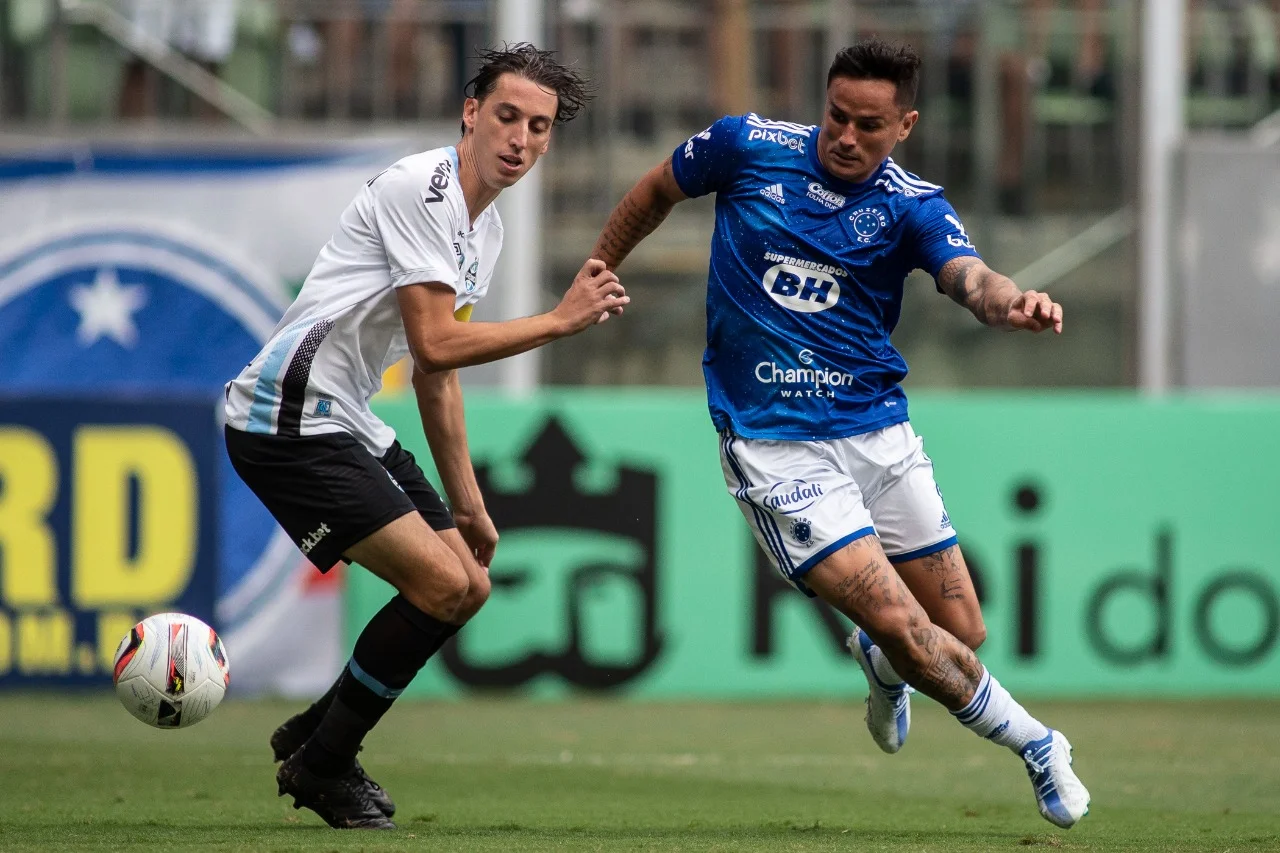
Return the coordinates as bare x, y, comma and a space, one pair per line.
1163, 125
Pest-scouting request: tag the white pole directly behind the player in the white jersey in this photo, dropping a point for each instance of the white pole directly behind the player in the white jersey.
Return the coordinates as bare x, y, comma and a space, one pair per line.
520, 268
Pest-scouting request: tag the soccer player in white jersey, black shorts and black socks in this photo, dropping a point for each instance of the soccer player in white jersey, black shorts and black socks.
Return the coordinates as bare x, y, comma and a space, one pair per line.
413, 254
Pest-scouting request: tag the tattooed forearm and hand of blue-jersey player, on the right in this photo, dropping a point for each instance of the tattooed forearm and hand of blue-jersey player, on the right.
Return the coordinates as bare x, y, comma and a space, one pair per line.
995, 300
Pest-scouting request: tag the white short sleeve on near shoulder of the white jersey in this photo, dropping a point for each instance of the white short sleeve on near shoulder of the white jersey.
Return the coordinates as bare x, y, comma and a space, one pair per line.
417, 231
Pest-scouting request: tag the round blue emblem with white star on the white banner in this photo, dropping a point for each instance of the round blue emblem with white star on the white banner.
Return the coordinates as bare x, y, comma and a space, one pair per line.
139, 312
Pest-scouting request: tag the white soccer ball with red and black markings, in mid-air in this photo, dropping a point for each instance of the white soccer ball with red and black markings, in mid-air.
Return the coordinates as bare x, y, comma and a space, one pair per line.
171, 670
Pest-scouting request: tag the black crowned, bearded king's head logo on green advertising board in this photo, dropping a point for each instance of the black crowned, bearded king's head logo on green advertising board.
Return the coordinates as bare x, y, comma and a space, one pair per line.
578, 581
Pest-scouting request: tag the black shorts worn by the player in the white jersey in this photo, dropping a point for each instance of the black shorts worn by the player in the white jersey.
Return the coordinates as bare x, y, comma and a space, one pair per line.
330, 492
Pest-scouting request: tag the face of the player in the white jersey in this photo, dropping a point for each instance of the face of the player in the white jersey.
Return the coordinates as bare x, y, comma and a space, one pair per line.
511, 127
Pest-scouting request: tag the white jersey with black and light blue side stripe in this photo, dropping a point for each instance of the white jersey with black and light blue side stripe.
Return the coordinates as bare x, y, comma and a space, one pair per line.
327, 357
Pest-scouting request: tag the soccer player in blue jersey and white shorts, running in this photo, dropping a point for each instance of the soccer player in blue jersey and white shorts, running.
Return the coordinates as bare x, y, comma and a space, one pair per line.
816, 231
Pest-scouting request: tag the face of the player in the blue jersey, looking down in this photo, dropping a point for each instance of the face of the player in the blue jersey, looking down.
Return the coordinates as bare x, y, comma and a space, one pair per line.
861, 126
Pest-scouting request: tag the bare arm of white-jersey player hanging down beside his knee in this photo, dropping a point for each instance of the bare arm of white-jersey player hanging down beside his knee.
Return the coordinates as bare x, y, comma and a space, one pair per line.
440, 403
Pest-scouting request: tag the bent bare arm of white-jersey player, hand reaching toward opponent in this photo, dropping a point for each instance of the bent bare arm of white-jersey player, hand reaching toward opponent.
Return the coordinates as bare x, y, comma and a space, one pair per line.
438, 341
